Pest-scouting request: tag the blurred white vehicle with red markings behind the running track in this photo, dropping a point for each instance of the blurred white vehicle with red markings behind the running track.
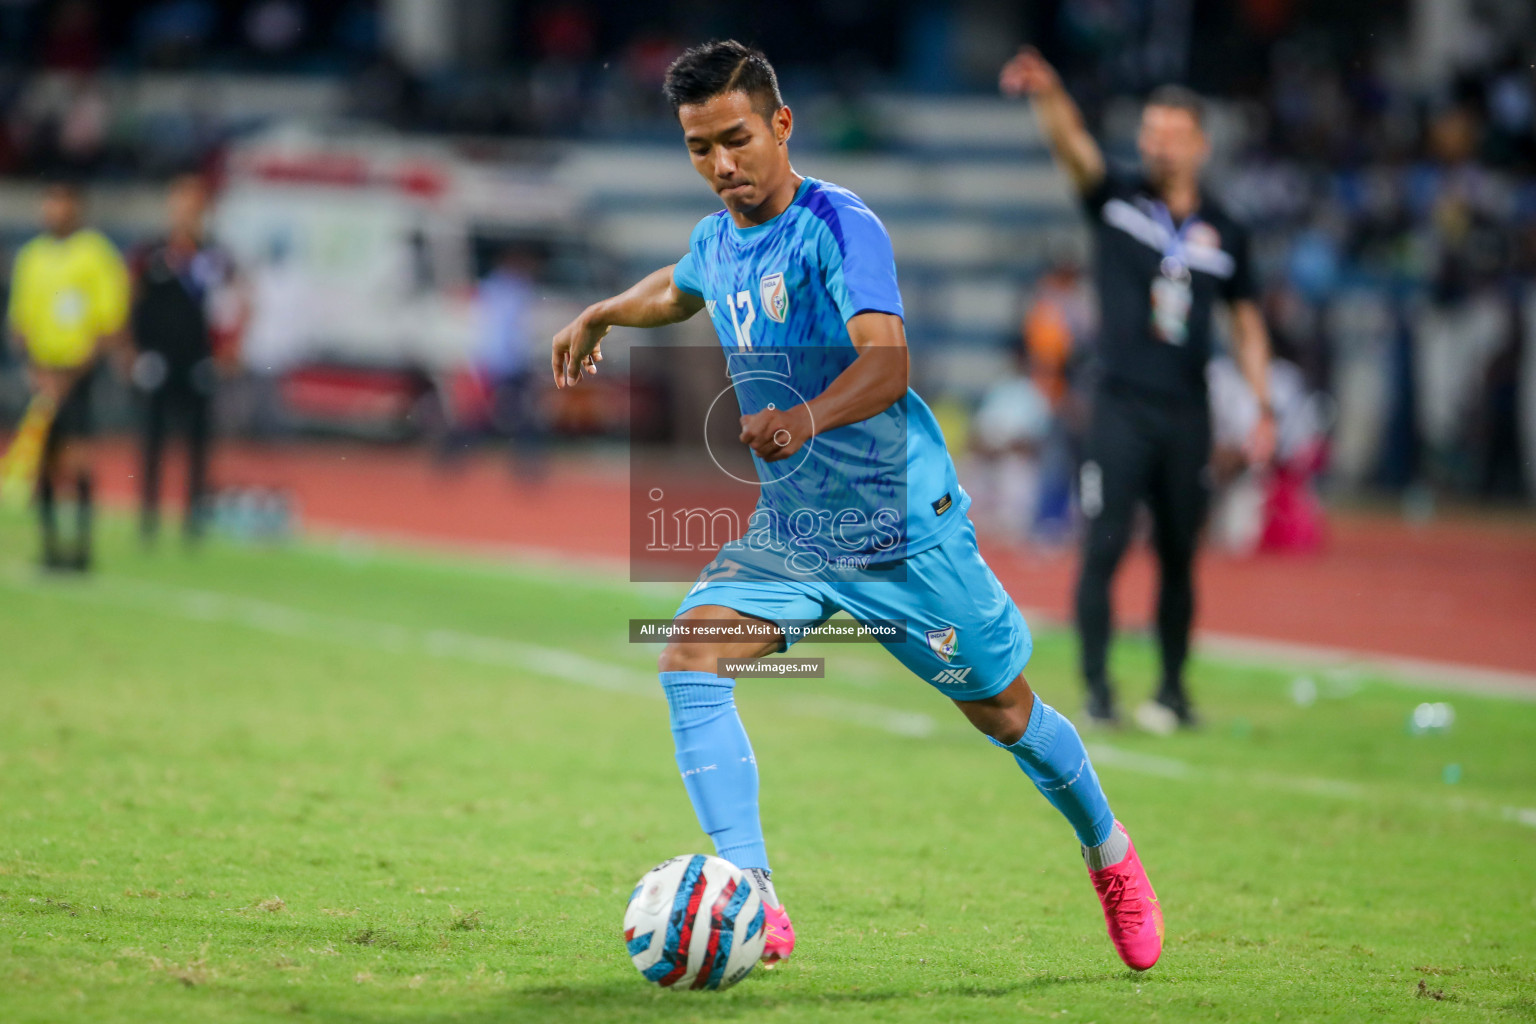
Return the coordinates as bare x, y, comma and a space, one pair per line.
363, 251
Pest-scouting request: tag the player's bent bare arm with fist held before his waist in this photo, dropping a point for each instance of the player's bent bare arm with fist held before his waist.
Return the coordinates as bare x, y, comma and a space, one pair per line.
873, 383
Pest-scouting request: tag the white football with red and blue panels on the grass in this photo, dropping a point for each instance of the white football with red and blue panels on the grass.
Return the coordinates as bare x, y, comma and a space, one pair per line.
695, 922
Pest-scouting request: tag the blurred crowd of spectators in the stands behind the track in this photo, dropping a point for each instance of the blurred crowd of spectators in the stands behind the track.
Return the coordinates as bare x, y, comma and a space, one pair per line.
1395, 219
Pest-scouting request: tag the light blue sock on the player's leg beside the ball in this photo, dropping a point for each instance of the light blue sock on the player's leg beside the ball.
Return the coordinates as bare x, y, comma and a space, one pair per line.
717, 764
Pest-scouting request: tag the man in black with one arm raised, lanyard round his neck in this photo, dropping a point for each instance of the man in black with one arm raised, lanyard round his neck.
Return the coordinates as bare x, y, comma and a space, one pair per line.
1165, 254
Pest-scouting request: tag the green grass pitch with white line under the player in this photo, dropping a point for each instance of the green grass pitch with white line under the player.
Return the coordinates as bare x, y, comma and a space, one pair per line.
337, 784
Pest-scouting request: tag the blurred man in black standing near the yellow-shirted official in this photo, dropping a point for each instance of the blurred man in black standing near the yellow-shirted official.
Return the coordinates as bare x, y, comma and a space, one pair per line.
174, 369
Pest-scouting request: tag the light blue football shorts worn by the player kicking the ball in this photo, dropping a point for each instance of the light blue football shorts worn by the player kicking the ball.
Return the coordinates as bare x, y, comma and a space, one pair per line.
962, 630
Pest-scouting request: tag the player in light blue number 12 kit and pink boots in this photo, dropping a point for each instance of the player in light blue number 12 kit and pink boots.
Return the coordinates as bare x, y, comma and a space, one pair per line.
801, 273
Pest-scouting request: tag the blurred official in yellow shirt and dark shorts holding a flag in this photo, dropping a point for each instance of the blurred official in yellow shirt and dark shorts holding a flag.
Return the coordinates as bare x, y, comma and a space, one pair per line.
68, 303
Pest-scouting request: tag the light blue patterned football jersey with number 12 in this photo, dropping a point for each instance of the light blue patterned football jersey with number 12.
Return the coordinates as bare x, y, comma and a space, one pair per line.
781, 297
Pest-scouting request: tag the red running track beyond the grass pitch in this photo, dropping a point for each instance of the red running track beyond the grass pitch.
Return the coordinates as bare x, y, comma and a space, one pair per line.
1460, 590
